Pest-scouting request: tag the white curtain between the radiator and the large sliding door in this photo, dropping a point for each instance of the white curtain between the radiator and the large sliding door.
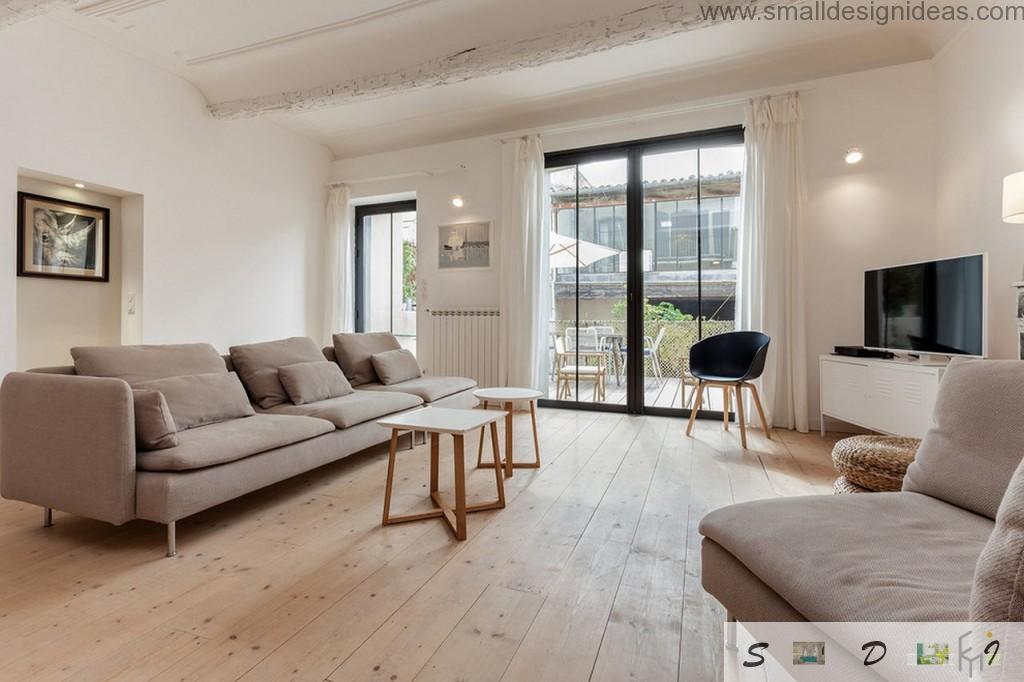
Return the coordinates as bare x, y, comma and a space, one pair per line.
525, 306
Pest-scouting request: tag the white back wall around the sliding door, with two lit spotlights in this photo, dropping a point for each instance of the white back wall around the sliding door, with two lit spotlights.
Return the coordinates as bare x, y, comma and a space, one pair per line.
877, 214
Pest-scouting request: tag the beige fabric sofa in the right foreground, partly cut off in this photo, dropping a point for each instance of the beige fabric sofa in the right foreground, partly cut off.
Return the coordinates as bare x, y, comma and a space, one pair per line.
910, 557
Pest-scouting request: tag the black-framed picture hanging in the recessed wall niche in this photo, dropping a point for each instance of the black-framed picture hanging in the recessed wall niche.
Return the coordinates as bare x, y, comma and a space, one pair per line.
62, 239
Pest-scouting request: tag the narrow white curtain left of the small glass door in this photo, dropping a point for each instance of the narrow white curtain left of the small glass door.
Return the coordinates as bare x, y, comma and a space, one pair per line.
339, 311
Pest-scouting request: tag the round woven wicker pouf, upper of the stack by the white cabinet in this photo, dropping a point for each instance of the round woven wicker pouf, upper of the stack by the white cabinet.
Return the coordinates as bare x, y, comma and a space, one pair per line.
877, 463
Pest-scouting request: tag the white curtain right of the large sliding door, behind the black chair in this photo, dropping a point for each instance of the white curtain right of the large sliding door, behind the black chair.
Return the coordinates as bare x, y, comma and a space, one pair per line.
771, 295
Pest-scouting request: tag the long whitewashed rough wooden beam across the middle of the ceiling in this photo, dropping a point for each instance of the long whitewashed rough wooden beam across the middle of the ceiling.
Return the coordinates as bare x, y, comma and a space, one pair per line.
660, 20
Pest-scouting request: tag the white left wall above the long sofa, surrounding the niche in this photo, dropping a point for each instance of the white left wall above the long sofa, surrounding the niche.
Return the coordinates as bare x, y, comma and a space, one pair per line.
233, 211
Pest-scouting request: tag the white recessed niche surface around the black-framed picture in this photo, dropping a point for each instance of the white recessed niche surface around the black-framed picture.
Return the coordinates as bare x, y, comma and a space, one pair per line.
55, 315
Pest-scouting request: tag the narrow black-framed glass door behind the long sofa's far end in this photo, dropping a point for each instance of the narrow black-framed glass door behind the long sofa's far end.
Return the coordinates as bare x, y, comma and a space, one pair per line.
386, 271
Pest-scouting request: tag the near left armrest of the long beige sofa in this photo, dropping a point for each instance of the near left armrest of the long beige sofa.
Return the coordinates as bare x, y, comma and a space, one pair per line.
69, 443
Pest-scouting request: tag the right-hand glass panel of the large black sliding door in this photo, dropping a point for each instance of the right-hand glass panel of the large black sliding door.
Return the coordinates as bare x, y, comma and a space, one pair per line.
692, 231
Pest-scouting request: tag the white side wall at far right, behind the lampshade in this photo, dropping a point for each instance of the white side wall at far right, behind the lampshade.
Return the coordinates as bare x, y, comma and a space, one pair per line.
980, 93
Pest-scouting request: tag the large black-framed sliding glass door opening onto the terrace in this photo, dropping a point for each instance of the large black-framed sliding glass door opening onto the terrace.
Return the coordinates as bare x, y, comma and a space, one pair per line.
644, 265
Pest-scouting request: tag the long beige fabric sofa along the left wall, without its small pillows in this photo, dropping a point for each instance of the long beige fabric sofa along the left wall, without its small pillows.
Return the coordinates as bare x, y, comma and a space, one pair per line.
68, 441
